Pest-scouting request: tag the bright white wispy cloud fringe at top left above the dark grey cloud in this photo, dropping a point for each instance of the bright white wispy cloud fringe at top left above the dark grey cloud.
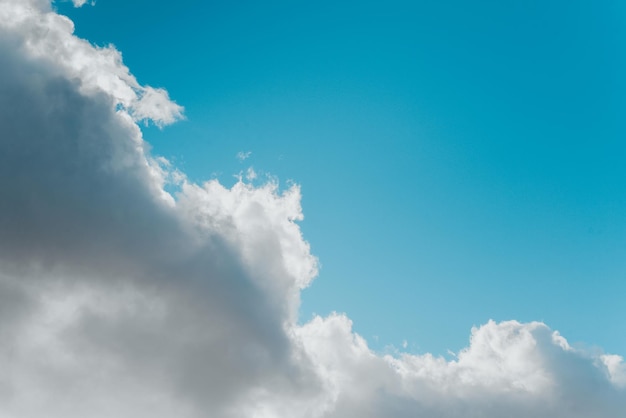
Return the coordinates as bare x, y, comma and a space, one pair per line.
49, 37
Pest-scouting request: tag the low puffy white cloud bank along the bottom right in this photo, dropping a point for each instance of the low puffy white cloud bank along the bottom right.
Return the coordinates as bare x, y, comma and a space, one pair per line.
509, 369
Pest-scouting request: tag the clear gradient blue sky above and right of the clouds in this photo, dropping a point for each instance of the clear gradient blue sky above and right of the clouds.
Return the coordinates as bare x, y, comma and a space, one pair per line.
459, 161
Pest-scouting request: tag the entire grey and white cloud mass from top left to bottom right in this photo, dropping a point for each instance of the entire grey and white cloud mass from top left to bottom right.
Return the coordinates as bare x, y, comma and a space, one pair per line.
119, 300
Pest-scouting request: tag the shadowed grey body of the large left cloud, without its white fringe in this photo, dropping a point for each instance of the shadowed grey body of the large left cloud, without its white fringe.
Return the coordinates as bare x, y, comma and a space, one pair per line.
85, 225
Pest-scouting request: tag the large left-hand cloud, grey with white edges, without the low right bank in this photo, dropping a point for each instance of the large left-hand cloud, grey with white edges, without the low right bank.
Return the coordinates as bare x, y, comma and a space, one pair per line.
129, 300
